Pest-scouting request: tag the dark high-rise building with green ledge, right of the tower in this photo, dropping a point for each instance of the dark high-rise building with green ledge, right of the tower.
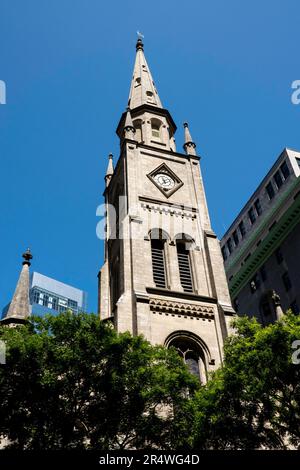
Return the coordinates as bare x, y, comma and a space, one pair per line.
261, 248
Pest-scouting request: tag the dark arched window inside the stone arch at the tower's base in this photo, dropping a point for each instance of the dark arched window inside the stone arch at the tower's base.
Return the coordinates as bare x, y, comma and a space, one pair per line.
192, 354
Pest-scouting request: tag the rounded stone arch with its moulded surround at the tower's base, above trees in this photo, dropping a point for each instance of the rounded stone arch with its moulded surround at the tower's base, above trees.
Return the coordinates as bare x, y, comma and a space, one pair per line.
193, 351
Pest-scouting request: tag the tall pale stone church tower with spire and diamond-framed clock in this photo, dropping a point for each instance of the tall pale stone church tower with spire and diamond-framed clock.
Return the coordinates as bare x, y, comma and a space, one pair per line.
163, 275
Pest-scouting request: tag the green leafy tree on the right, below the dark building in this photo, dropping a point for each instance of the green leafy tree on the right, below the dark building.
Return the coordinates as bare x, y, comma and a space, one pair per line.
254, 400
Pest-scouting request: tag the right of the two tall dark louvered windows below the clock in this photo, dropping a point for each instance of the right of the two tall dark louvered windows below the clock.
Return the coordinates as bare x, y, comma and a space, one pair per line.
183, 246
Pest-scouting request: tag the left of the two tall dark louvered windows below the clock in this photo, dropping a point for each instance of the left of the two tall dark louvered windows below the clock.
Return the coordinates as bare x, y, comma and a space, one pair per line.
158, 240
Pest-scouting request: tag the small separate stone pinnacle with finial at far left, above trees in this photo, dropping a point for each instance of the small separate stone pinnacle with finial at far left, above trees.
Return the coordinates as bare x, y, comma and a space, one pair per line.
19, 309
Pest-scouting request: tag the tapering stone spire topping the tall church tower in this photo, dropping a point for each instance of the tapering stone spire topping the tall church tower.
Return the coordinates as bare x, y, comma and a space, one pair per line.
142, 90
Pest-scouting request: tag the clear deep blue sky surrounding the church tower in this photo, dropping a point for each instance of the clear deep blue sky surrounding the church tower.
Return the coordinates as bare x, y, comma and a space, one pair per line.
224, 66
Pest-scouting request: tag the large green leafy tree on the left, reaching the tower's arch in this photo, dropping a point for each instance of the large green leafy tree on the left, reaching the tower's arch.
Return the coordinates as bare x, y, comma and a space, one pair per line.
72, 382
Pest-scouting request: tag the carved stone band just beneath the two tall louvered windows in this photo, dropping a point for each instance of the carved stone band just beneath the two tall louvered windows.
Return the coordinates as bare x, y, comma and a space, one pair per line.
181, 308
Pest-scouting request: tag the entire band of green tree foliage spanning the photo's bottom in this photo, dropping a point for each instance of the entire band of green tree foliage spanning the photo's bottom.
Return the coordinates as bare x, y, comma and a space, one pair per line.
72, 382
